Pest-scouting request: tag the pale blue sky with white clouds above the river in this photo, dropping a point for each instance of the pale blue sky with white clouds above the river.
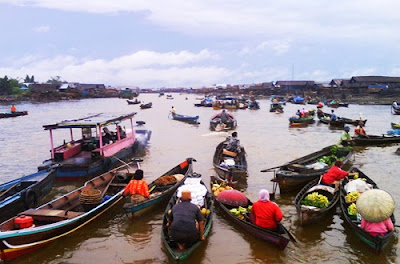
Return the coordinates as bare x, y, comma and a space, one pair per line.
151, 43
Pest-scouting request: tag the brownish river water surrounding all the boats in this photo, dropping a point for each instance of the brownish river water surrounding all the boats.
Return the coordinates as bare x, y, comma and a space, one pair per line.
268, 141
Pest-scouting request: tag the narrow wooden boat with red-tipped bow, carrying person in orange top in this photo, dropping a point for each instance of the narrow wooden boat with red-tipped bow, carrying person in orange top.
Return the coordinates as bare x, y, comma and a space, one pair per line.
160, 193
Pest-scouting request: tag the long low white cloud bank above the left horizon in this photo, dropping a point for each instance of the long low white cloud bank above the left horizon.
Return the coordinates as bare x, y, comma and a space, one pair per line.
143, 68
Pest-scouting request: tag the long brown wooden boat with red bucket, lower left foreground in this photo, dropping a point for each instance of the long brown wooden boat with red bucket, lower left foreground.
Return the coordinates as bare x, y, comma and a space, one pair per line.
63, 215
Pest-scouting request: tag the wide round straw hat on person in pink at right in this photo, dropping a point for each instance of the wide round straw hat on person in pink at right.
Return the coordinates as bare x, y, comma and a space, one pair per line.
375, 205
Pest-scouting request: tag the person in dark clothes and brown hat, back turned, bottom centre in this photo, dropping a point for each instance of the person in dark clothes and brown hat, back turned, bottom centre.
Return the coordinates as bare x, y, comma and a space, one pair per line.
182, 222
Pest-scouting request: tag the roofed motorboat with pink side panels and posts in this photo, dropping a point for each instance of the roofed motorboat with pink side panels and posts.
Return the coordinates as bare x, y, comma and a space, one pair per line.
89, 155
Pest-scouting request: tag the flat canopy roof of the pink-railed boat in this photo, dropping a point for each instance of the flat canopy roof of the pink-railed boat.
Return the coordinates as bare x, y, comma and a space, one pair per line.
91, 121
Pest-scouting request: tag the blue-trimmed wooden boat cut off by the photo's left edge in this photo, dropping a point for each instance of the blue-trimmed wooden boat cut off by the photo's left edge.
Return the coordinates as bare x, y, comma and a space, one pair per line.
24, 193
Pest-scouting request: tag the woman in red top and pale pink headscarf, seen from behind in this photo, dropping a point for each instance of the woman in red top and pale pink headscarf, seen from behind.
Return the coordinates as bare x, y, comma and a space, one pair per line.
267, 214
